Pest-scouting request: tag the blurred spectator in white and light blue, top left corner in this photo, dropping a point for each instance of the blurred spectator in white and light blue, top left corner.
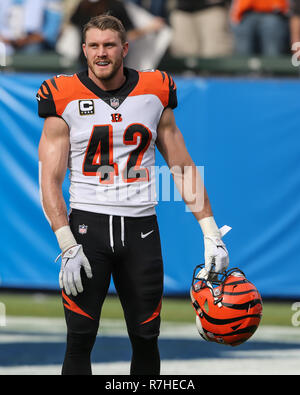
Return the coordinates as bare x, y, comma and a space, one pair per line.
30, 26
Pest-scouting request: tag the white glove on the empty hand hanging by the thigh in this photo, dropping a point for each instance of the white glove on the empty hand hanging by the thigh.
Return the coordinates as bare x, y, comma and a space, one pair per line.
71, 262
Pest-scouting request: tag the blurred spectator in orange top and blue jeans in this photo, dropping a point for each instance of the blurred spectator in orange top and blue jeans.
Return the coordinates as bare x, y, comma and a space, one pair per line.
260, 27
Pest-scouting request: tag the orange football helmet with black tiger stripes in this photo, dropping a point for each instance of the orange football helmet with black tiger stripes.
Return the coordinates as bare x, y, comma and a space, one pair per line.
228, 309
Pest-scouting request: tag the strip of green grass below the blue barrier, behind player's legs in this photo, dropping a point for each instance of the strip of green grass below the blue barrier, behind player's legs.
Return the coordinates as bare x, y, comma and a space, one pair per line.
180, 310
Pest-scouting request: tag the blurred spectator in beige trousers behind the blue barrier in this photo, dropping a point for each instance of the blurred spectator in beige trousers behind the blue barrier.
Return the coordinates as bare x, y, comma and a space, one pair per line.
200, 28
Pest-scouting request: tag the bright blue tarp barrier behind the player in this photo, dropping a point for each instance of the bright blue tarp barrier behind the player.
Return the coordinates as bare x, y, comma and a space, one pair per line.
246, 135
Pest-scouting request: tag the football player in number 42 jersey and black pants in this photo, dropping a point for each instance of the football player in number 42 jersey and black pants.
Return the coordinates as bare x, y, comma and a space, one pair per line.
103, 124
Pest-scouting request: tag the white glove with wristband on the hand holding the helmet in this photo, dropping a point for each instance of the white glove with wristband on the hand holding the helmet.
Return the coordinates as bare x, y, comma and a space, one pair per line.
215, 251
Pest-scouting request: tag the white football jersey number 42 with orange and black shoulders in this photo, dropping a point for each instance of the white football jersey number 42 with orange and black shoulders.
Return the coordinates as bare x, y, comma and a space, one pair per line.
112, 138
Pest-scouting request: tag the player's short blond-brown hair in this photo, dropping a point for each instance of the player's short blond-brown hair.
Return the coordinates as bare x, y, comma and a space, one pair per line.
105, 22
